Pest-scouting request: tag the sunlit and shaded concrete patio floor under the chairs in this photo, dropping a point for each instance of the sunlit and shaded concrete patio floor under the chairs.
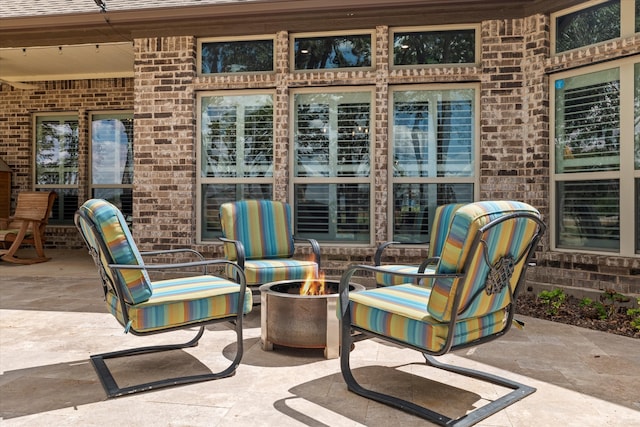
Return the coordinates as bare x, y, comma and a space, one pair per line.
52, 317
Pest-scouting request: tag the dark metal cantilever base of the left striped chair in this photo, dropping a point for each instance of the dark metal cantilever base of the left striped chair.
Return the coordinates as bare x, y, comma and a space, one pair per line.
113, 390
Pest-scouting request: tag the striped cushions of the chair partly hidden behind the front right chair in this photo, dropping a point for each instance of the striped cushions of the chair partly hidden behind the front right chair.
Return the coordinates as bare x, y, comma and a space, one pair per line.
442, 219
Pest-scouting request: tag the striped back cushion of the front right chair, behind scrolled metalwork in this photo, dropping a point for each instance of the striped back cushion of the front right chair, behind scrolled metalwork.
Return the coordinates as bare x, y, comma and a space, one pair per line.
510, 237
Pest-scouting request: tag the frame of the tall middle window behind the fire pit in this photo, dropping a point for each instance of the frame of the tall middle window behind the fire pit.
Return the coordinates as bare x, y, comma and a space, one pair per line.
334, 180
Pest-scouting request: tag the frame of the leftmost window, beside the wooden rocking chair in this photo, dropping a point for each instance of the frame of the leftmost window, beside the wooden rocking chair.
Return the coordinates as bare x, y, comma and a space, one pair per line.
59, 116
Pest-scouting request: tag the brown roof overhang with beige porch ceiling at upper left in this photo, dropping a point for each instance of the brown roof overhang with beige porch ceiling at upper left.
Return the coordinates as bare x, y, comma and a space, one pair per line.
99, 44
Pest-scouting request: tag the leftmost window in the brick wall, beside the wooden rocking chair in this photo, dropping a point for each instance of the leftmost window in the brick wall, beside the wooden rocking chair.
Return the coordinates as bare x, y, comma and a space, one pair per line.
56, 162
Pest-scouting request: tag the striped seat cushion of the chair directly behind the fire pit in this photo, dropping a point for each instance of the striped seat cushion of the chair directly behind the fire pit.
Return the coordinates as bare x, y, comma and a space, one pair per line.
272, 270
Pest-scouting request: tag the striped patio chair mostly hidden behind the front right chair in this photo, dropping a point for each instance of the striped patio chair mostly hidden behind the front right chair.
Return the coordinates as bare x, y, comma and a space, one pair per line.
441, 222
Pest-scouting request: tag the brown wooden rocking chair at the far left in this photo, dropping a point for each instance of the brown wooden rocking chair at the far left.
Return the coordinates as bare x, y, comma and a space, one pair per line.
27, 226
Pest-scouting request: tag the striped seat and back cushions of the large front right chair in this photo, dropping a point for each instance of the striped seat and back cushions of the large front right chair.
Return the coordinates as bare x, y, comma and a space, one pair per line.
420, 315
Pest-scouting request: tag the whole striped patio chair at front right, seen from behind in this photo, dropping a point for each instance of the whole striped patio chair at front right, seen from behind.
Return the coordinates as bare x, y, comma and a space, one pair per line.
467, 300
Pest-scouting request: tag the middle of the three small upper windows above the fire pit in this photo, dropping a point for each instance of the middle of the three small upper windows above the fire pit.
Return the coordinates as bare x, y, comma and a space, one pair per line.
332, 51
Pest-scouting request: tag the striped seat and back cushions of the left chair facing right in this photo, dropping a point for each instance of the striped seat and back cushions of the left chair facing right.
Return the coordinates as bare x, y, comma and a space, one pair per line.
154, 305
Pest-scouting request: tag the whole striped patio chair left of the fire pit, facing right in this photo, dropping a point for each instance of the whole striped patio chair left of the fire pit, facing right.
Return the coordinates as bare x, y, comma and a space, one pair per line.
144, 306
